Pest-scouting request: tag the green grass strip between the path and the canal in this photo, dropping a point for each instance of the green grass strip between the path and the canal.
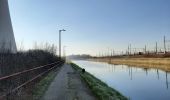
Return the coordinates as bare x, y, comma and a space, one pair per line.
101, 90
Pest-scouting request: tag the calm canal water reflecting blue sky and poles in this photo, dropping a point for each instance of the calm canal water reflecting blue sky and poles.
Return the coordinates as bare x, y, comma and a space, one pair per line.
133, 82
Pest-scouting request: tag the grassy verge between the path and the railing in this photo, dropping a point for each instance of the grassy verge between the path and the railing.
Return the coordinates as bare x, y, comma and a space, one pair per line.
43, 85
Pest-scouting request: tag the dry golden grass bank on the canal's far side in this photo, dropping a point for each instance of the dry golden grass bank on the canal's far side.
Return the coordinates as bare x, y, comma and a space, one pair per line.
159, 63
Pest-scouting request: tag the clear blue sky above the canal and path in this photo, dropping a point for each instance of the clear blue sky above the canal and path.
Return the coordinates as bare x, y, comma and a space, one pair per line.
92, 25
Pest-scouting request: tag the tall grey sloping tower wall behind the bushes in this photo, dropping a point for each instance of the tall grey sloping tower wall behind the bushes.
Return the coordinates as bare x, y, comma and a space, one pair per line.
7, 40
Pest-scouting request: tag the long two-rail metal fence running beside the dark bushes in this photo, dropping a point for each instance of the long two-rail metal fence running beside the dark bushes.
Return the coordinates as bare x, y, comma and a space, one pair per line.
10, 85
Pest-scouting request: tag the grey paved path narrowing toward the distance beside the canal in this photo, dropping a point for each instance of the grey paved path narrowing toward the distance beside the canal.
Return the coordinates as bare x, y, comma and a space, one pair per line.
67, 85
